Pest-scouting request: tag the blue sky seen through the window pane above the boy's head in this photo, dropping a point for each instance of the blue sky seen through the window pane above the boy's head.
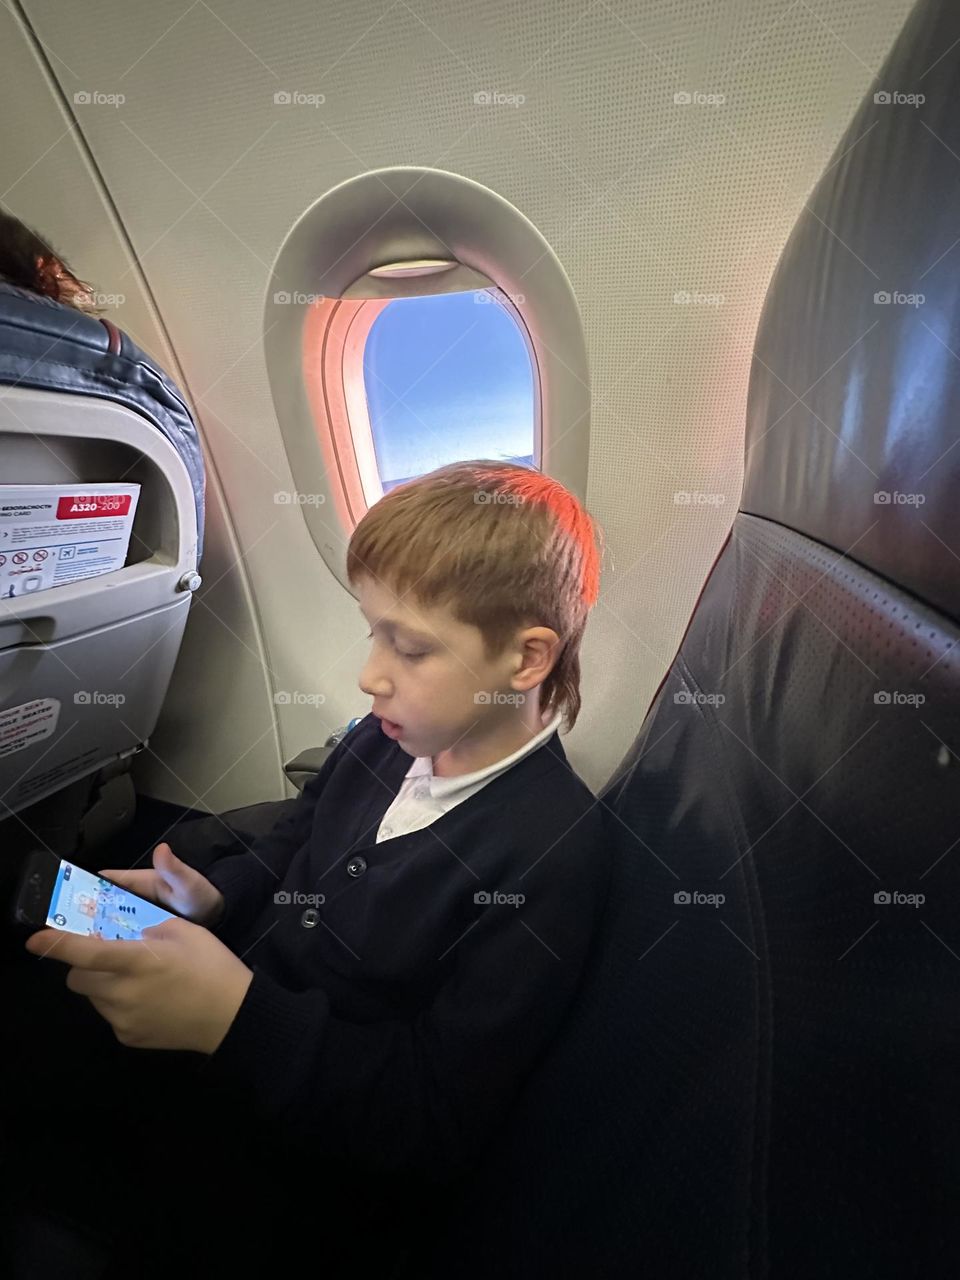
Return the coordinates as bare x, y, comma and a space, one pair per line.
447, 378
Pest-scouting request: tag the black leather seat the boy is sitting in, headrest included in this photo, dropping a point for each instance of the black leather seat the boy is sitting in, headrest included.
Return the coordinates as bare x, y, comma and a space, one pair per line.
760, 1077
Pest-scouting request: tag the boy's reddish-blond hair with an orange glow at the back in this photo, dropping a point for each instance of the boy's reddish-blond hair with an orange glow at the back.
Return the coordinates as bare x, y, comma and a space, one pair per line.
502, 546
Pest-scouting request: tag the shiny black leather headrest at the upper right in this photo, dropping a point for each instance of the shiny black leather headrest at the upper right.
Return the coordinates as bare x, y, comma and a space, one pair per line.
854, 409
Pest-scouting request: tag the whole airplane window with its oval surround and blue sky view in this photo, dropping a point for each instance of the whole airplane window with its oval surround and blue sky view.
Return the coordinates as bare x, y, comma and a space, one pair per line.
391, 356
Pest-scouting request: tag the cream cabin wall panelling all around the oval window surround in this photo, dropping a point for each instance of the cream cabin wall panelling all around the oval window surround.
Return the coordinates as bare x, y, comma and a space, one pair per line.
669, 218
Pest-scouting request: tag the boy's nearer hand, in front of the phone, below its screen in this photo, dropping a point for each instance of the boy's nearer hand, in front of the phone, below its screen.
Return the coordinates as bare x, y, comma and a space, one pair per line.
179, 989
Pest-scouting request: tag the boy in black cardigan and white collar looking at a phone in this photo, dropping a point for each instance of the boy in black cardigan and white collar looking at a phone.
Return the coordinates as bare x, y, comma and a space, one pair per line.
377, 977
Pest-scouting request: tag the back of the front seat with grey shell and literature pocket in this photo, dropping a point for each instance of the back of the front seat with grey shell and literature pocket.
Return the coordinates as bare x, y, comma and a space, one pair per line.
80, 404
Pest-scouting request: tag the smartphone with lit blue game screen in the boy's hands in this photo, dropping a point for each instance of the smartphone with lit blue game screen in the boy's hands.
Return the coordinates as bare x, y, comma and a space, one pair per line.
66, 897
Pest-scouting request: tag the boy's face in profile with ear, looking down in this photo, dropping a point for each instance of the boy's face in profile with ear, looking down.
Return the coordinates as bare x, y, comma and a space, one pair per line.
432, 683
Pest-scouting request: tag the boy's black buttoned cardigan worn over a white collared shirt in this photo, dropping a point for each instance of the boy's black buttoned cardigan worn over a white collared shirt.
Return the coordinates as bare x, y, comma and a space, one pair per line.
394, 1013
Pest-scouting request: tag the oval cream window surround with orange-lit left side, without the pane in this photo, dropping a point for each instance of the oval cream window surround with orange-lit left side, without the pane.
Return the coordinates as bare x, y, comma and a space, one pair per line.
390, 220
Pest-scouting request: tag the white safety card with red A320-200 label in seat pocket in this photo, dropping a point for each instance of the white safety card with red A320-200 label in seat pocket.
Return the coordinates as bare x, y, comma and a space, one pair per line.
53, 534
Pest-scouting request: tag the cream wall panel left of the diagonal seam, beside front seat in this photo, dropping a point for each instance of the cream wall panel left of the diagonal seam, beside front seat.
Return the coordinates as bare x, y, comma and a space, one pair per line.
220, 692
